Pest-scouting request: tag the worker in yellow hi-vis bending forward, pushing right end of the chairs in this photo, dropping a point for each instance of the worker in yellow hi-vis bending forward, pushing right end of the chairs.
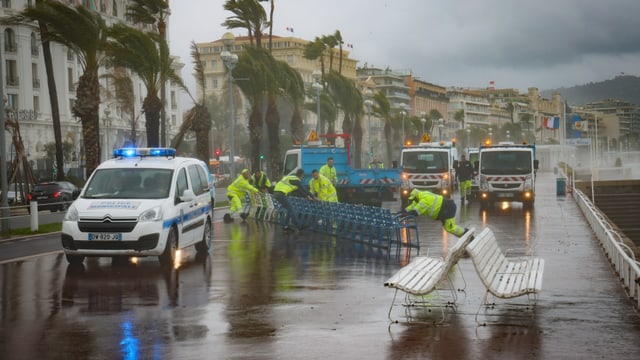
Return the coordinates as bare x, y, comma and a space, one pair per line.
436, 207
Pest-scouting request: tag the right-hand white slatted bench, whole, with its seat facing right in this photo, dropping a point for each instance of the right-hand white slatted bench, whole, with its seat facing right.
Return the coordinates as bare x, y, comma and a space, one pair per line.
504, 277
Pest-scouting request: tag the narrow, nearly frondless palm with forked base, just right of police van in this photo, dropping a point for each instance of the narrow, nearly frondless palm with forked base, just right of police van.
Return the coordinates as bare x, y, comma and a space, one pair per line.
198, 118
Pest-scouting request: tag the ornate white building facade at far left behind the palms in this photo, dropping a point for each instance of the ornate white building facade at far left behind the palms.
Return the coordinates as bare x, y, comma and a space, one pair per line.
27, 95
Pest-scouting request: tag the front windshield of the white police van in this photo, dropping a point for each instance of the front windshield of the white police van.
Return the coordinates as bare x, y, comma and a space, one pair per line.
129, 184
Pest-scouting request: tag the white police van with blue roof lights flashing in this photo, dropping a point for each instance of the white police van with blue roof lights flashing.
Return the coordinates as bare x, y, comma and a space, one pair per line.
144, 202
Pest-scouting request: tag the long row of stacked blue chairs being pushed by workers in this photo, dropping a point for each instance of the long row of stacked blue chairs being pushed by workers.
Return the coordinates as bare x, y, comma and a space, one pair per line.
374, 226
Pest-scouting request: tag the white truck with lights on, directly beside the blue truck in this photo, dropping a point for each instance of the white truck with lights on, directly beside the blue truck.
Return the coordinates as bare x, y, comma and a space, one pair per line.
428, 166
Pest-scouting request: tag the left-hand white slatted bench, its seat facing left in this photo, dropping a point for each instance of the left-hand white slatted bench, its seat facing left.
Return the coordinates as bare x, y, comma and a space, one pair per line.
425, 274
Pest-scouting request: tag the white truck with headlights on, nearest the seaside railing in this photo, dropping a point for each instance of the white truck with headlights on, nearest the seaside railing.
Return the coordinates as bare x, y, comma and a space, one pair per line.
507, 172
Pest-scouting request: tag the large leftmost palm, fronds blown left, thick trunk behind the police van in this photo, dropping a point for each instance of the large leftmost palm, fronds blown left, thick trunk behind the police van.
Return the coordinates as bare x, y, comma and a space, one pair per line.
85, 33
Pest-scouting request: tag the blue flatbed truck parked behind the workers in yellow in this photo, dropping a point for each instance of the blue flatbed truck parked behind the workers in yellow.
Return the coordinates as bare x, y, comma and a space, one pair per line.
355, 186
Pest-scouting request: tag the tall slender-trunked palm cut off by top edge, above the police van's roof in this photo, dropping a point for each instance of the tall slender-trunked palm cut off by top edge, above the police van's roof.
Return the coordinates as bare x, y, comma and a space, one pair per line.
155, 12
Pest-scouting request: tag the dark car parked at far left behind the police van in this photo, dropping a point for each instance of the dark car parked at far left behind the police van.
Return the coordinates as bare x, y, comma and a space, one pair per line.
54, 195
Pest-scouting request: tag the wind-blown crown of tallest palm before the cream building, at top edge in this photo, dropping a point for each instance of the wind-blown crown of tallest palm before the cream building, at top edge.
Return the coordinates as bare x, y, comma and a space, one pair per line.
249, 15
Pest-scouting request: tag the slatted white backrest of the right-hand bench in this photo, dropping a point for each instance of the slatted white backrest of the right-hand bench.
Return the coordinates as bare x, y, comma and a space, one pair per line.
487, 257
